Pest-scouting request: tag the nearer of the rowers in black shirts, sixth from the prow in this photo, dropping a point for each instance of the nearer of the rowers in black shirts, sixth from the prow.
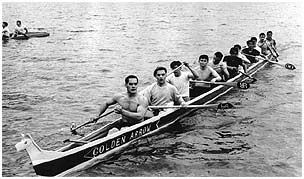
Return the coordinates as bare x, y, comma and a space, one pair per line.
234, 63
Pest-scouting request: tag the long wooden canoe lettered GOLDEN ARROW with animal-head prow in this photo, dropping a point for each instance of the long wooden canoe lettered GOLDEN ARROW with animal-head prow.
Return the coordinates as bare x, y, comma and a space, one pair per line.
98, 146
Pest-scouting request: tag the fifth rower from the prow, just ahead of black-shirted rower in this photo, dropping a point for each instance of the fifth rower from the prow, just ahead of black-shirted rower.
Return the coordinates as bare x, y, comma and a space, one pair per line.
220, 67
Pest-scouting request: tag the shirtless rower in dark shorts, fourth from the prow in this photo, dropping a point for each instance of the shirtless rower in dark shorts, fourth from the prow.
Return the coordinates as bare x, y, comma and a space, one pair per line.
205, 73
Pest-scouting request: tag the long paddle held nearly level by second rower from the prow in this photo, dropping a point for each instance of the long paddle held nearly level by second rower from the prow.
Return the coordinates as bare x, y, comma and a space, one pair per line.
219, 106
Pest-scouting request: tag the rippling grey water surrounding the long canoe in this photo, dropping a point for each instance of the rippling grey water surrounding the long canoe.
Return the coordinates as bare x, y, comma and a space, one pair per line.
48, 83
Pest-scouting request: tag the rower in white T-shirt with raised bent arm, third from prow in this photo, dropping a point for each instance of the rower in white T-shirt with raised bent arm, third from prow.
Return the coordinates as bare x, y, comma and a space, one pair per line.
180, 79
